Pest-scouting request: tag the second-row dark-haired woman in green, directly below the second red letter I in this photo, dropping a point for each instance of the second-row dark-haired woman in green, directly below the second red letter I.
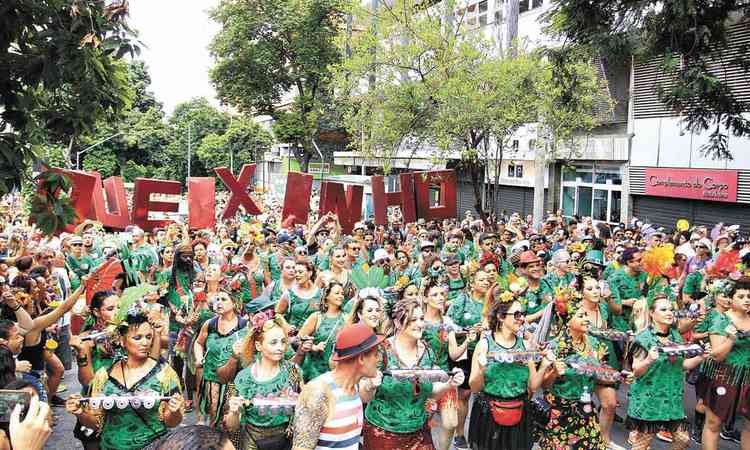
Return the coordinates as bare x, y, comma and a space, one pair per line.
303, 299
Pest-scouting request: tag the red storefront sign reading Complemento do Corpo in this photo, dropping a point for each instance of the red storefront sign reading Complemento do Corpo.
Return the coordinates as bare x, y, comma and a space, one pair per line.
696, 184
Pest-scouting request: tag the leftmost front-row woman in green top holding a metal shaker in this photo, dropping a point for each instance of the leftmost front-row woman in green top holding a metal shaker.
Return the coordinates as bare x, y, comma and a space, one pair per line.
137, 374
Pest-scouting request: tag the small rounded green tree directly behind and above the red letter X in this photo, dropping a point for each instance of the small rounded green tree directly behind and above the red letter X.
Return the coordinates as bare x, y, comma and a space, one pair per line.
243, 142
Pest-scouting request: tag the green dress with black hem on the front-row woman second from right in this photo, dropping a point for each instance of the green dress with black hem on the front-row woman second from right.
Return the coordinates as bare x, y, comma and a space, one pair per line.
655, 399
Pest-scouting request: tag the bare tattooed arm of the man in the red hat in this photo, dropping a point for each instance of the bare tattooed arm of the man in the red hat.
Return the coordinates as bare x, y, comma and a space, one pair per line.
310, 414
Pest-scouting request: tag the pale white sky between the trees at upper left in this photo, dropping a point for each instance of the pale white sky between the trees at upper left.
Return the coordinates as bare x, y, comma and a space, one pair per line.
175, 36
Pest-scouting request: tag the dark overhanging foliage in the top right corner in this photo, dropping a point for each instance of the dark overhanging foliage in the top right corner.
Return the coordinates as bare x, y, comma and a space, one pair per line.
688, 38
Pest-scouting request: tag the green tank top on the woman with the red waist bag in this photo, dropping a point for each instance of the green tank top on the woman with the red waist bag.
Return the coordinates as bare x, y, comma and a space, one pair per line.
505, 380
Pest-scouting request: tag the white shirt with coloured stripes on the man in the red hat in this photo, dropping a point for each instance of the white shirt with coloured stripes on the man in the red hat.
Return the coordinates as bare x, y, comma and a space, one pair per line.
344, 427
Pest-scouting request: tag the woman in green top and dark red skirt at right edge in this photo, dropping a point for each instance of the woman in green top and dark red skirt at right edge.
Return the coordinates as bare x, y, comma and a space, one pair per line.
725, 379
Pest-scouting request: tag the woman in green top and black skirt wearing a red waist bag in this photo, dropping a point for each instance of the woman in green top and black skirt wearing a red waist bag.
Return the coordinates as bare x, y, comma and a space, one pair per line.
505, 382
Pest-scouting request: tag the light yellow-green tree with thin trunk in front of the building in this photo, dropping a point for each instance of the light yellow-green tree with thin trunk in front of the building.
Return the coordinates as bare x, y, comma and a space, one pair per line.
419, 80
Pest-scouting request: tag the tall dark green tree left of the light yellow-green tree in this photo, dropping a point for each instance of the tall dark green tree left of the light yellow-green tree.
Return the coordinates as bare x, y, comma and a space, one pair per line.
269, 51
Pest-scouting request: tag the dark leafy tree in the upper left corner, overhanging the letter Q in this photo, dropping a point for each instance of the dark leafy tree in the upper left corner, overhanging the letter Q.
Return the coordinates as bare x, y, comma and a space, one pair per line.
60, 72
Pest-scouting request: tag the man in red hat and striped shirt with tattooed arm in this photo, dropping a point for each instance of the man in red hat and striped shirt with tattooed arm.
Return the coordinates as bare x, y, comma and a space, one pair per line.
329, 412
